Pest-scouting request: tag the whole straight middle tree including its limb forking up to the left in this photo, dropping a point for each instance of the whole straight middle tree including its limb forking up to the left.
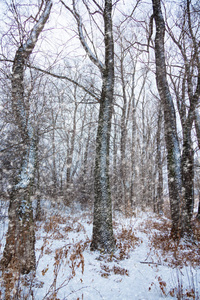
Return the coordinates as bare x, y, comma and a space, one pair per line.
103, 238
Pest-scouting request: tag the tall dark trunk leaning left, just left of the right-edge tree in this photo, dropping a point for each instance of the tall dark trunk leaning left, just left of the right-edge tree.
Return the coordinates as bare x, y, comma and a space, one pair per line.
171, 139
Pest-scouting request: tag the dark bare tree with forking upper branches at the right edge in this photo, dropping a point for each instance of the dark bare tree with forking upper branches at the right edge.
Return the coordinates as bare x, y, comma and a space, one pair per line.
186, 87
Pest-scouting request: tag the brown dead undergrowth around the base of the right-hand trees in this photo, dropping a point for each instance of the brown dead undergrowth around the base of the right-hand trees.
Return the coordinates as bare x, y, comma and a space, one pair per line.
174, 253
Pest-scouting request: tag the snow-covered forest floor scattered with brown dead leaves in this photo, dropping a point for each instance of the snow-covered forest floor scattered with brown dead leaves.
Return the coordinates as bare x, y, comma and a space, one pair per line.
146, 265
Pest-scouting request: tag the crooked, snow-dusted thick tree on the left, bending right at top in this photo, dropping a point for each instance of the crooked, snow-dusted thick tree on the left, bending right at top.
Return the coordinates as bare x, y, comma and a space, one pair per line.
19, 251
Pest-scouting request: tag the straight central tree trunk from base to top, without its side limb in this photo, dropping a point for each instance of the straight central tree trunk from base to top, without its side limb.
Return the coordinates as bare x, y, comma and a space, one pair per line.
103, 238
